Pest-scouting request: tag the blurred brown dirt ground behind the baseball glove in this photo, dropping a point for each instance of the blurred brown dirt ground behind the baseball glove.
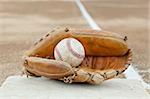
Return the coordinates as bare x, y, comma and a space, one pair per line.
23, 22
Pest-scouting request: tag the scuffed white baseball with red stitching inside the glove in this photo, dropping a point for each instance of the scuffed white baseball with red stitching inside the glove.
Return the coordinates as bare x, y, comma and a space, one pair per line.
70, 50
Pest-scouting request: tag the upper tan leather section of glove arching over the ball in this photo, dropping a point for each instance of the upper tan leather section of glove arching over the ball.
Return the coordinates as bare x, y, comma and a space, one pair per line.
105, 43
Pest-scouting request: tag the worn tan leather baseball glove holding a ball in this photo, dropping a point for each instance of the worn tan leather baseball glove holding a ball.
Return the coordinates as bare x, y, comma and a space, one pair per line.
106, 56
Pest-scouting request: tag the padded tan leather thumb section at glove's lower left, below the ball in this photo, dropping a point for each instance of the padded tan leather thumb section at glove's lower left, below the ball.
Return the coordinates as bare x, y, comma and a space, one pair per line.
47, 67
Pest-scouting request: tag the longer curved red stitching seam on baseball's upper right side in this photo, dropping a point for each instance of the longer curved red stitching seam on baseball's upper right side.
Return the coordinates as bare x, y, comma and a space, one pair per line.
76, 54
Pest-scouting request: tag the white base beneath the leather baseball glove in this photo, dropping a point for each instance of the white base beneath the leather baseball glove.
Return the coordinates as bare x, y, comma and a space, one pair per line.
17, 87
